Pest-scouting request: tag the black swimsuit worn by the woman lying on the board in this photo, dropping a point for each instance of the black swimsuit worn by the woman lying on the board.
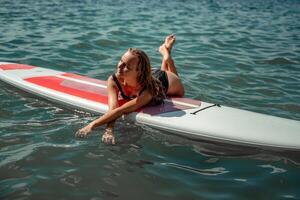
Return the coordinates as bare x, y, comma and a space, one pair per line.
157, 73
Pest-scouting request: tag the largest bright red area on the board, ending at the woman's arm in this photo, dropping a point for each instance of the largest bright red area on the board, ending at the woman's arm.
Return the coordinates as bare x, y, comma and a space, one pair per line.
54, 83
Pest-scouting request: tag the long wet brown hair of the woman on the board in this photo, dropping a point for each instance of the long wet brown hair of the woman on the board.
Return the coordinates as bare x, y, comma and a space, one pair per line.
145, 78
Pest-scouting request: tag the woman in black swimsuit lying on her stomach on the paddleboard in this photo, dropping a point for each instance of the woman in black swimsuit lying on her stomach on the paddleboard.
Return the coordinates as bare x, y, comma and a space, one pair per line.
136, 82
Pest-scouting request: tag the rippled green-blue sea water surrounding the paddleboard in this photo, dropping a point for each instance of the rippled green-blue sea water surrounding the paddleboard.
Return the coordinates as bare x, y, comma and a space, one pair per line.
243, 54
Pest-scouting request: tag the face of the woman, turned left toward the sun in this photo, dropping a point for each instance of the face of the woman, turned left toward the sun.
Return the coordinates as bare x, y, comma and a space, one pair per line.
127, 66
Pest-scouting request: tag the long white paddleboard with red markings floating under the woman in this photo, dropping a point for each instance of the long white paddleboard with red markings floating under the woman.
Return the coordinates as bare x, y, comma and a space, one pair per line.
190, 118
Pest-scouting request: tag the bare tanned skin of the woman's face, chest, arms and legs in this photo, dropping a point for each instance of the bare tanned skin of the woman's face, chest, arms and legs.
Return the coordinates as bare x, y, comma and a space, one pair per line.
127, 76
